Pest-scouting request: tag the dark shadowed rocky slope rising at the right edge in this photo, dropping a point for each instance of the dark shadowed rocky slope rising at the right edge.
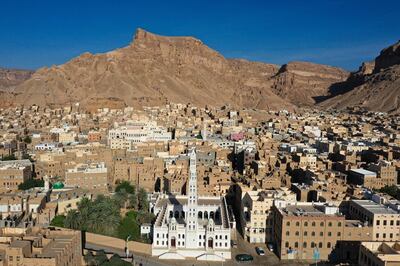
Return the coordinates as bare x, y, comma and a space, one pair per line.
375, 86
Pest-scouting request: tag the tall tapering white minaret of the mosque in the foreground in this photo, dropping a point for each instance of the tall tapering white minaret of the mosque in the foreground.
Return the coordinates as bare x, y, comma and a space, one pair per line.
191, 217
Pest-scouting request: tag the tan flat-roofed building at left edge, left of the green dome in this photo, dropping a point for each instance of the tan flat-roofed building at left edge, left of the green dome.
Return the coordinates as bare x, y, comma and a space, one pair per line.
14, 173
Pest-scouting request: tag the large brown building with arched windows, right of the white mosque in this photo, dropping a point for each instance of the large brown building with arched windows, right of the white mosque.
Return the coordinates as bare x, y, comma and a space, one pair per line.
302, 230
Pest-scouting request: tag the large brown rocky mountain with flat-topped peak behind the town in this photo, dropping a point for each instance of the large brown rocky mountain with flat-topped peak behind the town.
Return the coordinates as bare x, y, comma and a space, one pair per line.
155, 69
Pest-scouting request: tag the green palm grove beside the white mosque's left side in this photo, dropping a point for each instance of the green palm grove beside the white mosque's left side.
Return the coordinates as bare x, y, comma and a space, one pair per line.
103, 214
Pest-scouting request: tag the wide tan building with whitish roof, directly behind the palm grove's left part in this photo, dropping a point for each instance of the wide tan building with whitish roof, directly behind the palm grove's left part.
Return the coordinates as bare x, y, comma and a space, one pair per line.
88, 176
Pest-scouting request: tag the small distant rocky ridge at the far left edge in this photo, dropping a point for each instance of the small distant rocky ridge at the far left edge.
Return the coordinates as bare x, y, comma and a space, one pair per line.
10, 78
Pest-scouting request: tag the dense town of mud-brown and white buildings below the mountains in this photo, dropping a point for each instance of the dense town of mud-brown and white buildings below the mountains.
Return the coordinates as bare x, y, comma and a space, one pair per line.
183, 185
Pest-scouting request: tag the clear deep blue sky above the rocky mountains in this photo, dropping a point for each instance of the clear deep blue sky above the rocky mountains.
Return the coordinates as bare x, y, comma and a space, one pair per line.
336, 32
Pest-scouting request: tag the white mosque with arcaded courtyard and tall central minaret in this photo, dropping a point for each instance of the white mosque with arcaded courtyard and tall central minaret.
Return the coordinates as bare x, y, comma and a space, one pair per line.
191, 226
